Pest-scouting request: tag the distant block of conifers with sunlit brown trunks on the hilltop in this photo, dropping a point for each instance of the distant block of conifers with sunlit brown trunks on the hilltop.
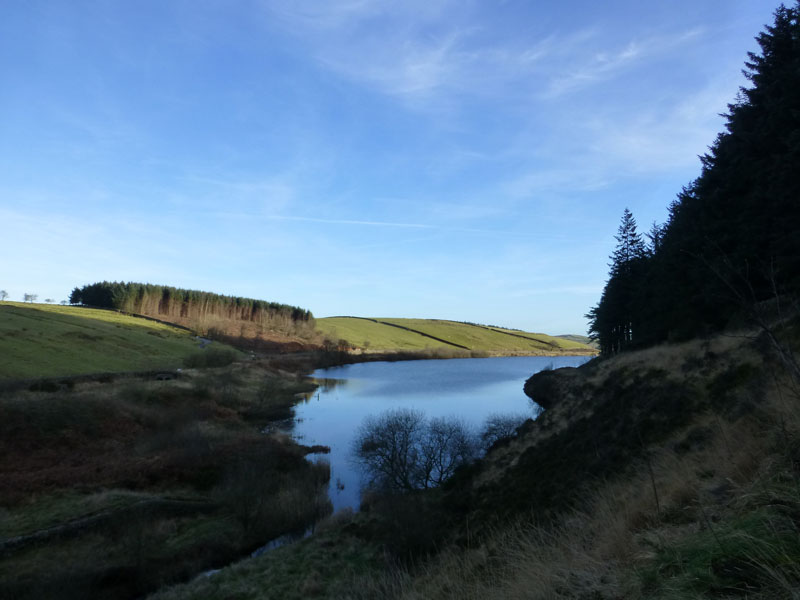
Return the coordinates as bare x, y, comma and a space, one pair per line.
219, 316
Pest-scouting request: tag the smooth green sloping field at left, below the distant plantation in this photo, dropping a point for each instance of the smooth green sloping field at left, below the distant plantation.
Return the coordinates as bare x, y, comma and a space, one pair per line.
47, 340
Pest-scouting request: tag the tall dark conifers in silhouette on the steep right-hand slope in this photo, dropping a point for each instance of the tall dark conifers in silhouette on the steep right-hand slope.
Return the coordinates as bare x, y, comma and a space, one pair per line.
732, 238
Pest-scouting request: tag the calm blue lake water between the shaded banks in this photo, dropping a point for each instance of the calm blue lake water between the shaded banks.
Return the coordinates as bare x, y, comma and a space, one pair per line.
469, 388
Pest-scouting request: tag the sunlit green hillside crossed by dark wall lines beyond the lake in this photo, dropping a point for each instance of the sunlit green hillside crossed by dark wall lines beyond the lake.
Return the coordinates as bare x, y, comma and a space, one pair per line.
419, 334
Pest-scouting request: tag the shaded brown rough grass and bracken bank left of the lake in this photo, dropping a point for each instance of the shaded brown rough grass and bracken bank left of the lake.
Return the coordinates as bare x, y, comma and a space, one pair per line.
116, 489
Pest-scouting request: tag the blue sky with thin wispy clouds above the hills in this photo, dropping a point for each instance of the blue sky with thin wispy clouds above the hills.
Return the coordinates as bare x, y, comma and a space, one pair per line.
461, 160
